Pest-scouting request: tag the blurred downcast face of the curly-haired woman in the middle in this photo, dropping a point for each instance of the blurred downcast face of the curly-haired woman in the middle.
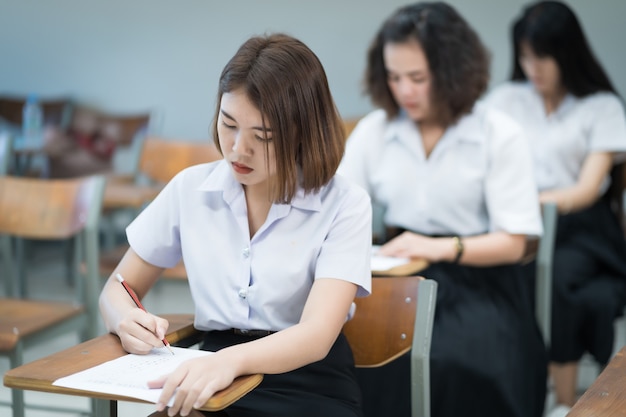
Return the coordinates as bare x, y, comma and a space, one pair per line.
409, 78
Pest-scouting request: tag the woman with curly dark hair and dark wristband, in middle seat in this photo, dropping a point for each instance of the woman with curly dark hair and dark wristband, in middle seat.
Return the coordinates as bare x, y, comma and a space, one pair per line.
455, 181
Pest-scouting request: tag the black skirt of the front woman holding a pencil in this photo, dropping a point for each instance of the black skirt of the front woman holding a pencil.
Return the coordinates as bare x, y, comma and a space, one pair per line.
324, 388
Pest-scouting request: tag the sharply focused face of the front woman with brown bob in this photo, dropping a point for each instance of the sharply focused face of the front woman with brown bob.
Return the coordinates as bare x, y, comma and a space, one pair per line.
246, 143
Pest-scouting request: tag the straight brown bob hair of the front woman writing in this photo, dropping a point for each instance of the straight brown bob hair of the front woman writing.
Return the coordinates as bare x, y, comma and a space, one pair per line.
285, 80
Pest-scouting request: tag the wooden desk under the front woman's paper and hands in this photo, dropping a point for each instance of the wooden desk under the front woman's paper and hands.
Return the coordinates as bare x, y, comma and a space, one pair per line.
40, 374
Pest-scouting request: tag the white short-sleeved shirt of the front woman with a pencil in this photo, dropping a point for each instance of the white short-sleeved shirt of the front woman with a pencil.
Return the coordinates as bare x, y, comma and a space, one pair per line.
263, 282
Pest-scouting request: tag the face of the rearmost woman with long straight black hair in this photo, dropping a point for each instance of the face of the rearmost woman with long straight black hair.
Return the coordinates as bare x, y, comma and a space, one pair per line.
542, 71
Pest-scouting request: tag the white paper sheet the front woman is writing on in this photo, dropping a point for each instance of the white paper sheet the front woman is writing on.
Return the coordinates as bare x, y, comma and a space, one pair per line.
129, 375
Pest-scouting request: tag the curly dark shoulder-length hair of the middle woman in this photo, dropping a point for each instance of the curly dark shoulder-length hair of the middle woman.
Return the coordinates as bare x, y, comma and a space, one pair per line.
457, 59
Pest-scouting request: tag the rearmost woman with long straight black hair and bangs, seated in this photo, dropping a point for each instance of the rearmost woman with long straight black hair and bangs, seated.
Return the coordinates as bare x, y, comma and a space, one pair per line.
575, 124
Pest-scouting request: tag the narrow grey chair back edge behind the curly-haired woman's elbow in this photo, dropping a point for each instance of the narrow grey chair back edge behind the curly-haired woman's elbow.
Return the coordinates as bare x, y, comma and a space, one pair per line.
543, 280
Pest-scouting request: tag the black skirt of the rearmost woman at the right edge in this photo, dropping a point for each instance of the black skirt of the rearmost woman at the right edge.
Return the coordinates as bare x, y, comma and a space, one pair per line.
589, 277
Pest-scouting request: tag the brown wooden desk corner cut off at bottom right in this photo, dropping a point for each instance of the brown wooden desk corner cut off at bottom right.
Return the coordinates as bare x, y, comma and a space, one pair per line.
606, 397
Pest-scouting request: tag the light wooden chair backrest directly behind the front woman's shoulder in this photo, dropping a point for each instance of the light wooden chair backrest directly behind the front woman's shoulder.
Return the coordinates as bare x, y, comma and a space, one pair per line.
162, 159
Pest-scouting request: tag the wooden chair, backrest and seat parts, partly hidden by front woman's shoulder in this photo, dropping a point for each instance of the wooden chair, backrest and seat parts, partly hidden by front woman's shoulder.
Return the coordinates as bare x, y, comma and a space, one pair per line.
161, 159
